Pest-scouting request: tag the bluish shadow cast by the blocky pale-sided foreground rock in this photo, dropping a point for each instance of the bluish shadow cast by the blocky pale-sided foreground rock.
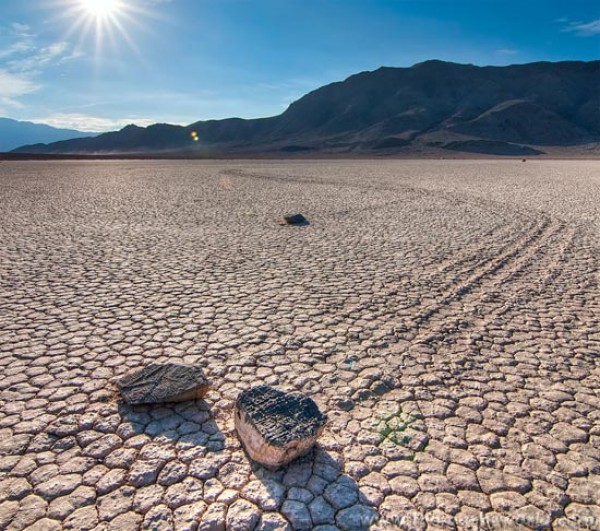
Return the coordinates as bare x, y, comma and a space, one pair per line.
314, 491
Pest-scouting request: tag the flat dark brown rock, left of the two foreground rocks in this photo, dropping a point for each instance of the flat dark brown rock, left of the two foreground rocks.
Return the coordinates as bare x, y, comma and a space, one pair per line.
169, 382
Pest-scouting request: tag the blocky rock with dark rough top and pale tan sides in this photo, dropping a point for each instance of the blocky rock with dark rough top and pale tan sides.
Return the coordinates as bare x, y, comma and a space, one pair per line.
275, 427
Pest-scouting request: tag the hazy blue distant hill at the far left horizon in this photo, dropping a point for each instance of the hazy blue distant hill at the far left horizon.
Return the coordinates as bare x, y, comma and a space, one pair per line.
14, 133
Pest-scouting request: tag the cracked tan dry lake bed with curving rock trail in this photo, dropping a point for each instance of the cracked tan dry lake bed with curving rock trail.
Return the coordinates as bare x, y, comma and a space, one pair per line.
445, 315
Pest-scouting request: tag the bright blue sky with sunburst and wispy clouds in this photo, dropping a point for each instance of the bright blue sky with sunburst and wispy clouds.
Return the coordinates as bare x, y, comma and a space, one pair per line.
179, 61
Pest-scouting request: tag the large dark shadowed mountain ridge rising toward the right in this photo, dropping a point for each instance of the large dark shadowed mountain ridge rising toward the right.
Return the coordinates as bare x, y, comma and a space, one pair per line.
541, 104
